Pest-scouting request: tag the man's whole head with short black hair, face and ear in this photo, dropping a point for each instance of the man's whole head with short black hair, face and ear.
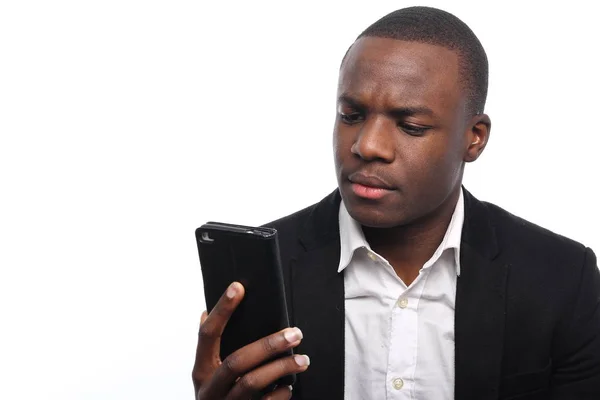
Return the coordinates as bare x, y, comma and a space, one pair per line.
411, 94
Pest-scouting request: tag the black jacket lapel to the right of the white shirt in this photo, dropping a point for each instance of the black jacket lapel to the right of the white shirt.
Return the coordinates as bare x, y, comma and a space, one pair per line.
480, 307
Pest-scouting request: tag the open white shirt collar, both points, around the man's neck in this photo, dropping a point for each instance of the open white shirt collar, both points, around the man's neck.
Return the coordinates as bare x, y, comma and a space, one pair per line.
353, 238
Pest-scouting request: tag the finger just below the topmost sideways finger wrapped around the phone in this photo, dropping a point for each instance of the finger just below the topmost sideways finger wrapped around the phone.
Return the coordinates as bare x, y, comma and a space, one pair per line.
256, 380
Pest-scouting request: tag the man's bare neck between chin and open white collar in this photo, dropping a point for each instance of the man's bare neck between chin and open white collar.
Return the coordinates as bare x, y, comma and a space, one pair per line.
408, 247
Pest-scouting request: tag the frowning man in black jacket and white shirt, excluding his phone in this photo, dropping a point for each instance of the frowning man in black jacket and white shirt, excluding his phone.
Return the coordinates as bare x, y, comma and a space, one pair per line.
401, 284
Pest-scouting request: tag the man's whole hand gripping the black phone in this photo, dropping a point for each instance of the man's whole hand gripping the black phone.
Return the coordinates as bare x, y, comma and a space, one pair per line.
239, 376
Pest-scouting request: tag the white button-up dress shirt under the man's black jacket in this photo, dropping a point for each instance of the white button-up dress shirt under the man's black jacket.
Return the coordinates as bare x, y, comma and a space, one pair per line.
399, 340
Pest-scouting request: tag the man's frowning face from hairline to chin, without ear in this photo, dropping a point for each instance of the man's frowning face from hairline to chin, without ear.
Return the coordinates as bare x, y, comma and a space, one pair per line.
401, 131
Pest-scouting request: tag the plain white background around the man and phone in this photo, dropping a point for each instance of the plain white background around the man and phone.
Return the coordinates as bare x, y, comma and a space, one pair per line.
126, 124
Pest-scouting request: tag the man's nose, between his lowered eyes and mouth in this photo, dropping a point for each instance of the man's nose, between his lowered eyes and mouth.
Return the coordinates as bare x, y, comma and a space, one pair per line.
375, 140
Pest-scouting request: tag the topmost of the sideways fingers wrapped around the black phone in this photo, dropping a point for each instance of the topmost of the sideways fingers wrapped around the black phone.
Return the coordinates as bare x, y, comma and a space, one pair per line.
249, 357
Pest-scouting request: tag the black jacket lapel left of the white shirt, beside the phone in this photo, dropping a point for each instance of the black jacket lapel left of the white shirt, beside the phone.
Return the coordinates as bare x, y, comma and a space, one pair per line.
318, 303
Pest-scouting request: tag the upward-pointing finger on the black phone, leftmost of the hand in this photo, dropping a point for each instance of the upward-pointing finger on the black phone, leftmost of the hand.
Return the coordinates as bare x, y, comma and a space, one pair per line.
211, 329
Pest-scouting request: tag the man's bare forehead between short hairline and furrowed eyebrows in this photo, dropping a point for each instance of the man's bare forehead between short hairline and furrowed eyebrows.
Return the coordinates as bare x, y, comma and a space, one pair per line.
391, 70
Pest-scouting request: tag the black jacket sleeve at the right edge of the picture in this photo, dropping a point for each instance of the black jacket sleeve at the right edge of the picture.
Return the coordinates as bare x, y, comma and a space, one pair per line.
576, 342
